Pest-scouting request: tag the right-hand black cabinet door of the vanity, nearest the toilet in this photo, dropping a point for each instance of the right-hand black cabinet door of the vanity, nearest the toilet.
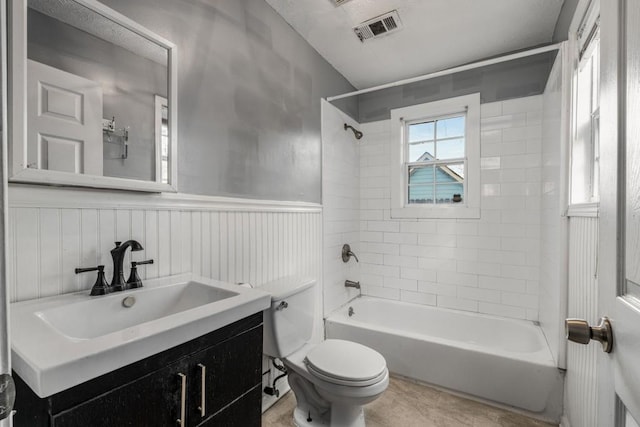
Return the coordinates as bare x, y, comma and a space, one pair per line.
230, 369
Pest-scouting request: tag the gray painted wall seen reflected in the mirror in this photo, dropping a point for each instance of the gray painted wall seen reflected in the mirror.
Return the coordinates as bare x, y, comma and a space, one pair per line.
129, 84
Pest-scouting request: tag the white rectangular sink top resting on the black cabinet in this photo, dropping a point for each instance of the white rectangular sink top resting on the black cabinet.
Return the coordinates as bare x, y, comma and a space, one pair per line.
63, 341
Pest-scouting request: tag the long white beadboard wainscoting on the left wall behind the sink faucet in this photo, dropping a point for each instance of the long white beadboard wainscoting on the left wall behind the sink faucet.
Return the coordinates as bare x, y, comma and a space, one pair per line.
256, 244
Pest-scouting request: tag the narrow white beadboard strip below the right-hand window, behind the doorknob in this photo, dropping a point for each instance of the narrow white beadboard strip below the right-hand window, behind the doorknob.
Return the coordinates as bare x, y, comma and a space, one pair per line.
581, 381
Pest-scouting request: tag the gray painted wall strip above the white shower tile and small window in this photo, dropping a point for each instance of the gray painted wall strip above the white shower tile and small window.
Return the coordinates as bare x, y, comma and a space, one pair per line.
499, 82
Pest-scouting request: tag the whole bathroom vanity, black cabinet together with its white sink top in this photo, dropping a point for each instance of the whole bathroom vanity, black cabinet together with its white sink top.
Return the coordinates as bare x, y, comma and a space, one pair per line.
186, 352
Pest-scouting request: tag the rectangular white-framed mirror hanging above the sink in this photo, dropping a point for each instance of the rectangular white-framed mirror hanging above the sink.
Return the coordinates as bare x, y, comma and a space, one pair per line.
93, 98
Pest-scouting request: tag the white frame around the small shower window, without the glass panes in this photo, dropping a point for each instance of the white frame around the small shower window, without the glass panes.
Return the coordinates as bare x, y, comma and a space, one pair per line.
400, 119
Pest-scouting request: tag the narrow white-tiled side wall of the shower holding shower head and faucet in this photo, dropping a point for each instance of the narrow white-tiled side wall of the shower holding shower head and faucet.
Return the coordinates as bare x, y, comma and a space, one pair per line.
341, 204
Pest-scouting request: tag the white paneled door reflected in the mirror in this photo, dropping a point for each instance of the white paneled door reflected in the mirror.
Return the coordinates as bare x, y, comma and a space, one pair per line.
64, 116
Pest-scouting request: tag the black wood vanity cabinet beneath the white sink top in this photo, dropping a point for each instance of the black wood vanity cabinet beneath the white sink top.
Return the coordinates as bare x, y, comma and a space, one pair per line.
150, 392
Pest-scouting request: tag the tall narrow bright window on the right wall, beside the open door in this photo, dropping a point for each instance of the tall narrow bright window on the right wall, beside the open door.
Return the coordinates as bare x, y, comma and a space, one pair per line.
585, 150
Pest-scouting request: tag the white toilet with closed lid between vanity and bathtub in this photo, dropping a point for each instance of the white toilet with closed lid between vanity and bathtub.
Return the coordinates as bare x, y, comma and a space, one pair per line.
331, 380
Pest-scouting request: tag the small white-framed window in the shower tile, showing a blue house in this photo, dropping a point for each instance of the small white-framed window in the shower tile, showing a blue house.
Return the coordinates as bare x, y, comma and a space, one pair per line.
436, 163
